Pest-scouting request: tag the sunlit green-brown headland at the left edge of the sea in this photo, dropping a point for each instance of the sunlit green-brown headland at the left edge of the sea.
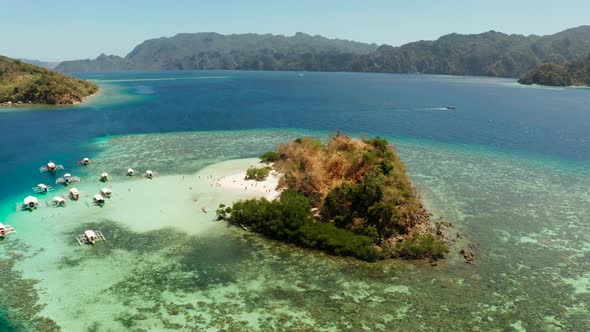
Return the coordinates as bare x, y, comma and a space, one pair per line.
23, 83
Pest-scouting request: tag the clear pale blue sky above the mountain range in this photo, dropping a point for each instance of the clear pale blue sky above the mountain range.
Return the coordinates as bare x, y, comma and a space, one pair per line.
73, 29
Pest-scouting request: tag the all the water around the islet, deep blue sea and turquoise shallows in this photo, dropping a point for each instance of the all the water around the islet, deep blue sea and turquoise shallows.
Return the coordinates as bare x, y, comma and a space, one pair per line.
517, 190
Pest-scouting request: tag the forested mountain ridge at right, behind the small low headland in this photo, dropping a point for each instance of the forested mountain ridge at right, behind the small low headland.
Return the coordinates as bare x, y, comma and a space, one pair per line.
487, 54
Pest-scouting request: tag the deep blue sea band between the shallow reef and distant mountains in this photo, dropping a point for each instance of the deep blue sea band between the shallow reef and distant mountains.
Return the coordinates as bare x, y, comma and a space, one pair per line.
490, 112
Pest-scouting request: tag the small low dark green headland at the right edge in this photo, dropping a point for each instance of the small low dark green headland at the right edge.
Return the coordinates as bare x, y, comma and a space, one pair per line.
574, 73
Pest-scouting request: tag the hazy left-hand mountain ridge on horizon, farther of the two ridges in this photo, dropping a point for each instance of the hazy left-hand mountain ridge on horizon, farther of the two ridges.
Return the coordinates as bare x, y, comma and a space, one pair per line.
195, 51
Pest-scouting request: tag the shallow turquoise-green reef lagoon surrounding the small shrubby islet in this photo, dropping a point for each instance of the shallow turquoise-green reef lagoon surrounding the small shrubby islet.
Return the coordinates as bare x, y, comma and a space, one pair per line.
527, 213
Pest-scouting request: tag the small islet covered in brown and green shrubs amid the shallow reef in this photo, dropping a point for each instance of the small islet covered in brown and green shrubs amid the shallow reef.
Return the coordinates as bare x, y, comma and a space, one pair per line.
348, 197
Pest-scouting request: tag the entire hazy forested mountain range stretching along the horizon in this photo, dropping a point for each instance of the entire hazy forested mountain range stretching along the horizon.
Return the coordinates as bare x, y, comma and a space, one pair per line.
486, 54
